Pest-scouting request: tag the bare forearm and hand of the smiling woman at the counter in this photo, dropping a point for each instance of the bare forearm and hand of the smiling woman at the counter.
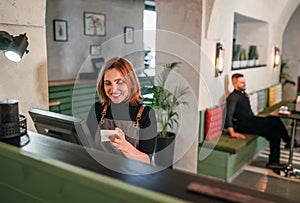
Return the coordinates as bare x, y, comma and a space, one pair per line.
119, 142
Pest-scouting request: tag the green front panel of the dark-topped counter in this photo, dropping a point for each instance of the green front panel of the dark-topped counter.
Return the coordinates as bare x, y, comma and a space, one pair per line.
30, 178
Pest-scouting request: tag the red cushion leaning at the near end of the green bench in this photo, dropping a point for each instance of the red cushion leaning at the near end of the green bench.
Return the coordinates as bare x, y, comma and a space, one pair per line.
213, 123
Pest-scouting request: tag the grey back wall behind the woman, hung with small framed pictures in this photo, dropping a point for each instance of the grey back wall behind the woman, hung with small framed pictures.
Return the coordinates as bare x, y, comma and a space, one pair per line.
67, 58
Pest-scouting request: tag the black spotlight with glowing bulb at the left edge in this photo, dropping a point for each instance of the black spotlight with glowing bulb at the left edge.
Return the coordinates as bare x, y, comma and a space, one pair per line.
13, 47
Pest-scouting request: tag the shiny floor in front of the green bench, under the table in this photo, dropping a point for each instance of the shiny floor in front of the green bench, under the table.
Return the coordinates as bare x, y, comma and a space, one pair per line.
257, 177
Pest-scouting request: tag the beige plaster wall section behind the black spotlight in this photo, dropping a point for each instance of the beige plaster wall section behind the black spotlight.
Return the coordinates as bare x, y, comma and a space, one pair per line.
26, 81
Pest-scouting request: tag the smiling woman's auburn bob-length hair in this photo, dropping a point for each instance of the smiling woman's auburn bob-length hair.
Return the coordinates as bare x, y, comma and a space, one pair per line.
126, 69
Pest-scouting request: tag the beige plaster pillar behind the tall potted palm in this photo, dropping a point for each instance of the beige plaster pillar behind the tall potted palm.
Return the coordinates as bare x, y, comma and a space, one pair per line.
178, 39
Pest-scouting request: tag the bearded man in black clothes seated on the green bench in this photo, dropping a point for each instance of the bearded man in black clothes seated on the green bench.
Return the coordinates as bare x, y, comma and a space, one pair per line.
240, 119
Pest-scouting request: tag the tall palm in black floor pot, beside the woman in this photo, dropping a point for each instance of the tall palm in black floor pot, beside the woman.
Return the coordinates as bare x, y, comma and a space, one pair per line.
165, 103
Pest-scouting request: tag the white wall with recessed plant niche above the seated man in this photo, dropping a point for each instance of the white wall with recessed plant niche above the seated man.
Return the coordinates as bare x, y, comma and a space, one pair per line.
275, 13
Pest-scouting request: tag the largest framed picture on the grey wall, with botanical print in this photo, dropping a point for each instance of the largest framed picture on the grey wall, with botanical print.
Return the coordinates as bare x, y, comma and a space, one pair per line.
94, 24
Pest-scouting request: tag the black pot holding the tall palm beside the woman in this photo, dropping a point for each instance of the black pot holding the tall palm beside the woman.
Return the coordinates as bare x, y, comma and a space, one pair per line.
164, 150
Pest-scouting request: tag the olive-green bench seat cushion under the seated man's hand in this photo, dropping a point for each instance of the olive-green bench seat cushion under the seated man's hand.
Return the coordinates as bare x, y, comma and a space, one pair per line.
228, 144
